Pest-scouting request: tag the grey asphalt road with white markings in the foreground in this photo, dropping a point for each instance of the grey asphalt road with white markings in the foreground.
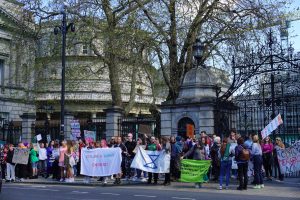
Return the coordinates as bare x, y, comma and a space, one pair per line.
145, 192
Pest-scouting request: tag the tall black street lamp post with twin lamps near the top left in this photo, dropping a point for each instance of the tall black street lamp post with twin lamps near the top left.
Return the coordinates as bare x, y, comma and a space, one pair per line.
64, 28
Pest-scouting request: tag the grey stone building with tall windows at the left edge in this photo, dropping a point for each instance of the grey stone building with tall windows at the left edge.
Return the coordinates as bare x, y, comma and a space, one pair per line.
17, 60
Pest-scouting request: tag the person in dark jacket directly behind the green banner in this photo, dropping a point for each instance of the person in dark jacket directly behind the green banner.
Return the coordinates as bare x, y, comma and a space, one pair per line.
197, 152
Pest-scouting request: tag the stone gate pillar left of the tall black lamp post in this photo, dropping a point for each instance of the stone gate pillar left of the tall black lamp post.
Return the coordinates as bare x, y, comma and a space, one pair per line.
27, 120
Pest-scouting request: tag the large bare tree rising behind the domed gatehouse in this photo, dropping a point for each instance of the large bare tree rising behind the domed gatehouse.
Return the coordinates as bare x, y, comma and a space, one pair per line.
224, 26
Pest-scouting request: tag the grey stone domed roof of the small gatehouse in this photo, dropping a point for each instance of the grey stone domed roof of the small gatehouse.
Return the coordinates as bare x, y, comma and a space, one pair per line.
199, 76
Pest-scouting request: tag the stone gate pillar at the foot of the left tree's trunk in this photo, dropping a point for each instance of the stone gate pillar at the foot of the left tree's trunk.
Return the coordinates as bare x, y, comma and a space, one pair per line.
113, 121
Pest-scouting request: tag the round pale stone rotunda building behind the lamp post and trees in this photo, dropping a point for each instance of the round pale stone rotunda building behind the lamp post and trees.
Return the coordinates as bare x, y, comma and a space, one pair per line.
87, 93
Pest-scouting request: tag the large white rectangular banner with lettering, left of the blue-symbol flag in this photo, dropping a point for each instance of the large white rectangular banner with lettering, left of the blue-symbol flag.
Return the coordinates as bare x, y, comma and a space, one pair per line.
100, 162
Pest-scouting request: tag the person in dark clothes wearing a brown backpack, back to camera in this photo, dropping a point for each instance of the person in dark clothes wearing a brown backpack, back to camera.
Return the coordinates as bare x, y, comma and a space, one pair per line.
242, 161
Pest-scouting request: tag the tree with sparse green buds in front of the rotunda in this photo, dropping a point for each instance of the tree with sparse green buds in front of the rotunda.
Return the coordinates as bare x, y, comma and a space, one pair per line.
111, 29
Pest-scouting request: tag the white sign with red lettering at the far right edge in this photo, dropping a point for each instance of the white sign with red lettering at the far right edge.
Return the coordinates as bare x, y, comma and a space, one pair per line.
289, 158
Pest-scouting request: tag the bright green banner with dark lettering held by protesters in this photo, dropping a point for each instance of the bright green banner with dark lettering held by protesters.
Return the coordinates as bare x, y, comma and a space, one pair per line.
194, 171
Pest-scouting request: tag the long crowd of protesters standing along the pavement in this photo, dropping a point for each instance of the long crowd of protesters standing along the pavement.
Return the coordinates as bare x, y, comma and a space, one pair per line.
61, 160
